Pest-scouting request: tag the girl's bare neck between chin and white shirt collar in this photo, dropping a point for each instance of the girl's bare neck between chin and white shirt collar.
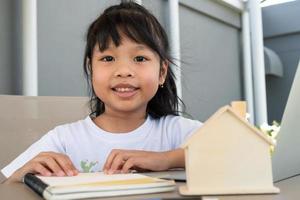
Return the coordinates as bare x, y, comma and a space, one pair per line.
119, 123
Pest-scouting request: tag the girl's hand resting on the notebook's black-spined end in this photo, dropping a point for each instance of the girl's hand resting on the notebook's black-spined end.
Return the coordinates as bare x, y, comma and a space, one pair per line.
45, 164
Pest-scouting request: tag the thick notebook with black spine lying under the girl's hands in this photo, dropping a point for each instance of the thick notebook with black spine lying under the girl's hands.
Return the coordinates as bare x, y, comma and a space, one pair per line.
87, 185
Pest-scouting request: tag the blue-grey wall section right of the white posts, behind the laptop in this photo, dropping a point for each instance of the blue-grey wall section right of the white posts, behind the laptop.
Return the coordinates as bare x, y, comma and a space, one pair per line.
281, 34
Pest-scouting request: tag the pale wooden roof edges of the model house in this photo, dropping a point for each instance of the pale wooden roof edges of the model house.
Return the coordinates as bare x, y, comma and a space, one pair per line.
229, 110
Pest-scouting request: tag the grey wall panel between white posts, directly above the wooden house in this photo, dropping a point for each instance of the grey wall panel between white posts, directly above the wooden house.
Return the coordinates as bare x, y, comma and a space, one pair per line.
211, 67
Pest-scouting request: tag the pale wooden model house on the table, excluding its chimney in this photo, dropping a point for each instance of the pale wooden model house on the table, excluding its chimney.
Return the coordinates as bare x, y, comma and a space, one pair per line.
228, 155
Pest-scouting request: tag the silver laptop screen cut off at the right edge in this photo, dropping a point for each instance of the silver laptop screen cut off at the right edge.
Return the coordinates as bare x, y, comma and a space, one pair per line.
286, 157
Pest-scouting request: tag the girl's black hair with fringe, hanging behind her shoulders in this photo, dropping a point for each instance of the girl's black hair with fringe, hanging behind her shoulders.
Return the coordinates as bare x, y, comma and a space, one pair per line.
138, 24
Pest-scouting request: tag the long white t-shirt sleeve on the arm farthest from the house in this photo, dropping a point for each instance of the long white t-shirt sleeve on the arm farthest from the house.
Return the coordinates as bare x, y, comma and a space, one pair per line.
52, 141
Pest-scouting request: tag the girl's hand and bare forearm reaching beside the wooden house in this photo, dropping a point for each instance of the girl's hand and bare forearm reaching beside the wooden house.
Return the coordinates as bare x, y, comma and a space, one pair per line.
122, 161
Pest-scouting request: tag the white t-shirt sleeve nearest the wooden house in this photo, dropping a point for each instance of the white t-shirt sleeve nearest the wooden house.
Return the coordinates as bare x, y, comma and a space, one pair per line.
181, 128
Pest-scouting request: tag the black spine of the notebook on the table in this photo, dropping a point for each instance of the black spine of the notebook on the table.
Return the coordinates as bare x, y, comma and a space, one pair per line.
35, 183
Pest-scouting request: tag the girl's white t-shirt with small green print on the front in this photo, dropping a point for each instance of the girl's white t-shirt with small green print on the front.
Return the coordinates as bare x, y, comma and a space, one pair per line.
88, 146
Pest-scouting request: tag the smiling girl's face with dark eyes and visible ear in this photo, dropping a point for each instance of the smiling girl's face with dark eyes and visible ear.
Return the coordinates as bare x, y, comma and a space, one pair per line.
126, 77
